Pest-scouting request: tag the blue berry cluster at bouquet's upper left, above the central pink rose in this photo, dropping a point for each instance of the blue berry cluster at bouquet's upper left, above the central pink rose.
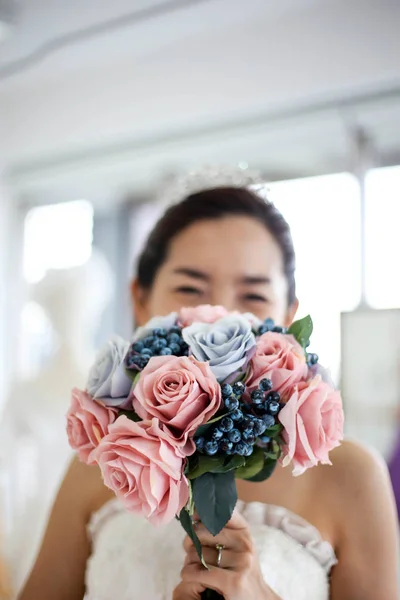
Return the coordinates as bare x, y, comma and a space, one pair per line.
160, 343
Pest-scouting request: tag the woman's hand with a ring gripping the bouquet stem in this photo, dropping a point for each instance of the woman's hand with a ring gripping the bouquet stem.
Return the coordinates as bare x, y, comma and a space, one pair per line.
236, 577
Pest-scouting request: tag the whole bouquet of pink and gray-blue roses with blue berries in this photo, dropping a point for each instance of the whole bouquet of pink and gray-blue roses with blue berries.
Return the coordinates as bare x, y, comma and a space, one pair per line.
197, 399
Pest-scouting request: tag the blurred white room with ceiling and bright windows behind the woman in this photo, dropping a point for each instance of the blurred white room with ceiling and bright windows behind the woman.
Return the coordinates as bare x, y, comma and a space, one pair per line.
101, 103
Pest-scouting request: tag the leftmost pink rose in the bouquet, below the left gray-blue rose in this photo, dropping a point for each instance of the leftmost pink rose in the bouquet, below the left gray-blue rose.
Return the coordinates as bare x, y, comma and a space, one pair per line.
87, 423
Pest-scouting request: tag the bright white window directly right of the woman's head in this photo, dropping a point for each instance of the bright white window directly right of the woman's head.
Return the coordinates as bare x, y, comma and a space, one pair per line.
324, 216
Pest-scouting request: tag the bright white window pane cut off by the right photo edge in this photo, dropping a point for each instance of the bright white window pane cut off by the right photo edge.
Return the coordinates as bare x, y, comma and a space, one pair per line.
383, 237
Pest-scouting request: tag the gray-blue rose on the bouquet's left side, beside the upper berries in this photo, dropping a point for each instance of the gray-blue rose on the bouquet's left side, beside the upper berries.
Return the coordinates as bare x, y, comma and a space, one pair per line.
108, 381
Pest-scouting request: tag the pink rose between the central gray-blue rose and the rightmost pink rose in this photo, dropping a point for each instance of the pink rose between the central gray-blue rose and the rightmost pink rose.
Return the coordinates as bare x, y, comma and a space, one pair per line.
280, 358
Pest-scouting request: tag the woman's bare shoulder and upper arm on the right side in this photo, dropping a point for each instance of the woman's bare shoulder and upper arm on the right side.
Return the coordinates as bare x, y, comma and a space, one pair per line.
360, 503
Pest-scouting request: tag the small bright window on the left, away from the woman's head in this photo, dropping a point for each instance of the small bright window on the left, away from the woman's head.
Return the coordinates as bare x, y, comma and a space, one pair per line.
57, 236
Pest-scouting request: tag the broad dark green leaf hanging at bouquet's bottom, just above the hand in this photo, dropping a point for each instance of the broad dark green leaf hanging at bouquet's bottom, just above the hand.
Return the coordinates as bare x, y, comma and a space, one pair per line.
215, 498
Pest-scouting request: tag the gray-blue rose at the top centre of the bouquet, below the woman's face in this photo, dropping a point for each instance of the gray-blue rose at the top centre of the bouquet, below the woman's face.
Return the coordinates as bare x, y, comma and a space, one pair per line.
227, 345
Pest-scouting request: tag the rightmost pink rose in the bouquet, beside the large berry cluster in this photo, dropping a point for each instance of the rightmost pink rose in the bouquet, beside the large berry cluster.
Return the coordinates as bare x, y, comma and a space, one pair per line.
313, 424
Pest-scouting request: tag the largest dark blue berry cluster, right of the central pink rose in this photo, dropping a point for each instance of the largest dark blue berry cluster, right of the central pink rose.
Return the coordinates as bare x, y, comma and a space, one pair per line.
245, 424
